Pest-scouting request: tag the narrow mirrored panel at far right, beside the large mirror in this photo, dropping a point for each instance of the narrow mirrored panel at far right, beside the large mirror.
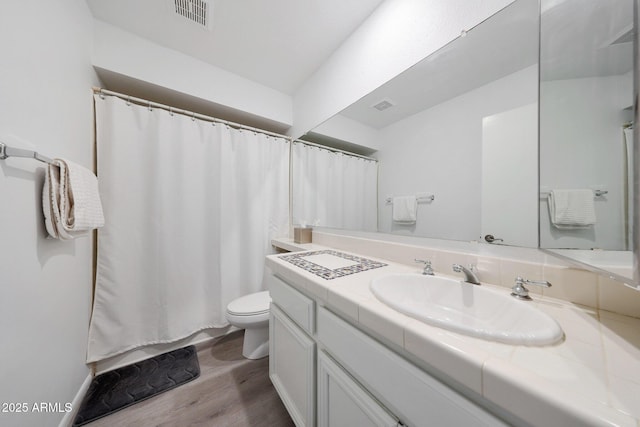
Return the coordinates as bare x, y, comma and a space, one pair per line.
586, 132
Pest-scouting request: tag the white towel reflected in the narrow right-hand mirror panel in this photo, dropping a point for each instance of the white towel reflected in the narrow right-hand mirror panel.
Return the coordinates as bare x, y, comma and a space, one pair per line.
572, 208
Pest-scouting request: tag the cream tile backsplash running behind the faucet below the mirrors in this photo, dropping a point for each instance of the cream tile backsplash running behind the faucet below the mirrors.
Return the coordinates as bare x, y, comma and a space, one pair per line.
568, 283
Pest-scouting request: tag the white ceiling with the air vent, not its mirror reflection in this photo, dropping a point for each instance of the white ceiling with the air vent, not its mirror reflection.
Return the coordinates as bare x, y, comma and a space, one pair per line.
277, 43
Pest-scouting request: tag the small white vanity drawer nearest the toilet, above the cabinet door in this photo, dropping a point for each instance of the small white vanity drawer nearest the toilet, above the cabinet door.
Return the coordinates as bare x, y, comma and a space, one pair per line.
300, 308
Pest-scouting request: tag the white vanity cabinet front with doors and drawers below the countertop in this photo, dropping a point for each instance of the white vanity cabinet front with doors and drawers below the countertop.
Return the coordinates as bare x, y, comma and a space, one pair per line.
360, 382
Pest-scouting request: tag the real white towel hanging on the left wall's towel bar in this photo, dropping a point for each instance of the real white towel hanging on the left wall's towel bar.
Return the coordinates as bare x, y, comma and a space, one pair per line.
70, 200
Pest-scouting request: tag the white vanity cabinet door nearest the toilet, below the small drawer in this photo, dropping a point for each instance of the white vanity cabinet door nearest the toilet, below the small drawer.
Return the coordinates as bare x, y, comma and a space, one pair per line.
292, 367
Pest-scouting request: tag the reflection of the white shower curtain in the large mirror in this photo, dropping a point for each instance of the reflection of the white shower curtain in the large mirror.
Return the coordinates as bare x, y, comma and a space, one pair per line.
334, 189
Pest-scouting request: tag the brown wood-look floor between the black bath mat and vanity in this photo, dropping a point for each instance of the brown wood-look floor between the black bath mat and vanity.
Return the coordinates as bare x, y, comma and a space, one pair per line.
231, 392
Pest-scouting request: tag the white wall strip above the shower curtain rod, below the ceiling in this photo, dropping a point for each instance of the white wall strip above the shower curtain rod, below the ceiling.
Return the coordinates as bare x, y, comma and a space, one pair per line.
127, 54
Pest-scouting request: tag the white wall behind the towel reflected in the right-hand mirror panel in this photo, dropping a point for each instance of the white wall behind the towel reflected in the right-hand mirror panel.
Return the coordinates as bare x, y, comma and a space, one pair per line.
581, 147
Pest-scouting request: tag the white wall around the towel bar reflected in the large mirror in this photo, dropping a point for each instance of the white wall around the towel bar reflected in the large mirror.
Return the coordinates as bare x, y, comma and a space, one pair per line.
438, 151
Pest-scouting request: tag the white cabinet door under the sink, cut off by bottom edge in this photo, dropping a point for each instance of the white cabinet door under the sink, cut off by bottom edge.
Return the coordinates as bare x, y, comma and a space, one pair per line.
343, 402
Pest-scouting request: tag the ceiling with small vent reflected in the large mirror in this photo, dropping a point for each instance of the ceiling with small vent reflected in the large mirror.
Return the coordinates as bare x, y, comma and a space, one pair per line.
509, 38
